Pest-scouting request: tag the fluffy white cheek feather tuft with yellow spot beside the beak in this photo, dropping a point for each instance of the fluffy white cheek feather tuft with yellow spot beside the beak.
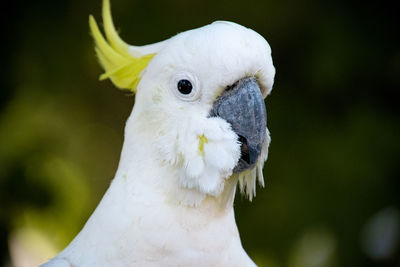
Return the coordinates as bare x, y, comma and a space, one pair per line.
210, 162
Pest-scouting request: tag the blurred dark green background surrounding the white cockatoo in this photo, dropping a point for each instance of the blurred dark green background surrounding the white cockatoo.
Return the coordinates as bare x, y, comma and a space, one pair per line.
332, 177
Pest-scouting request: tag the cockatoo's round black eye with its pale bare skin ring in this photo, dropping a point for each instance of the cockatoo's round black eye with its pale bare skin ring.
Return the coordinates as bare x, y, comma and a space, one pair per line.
185, 86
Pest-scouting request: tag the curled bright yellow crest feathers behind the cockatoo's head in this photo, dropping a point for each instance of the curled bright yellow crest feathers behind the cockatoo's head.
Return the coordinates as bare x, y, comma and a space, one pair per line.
120, 66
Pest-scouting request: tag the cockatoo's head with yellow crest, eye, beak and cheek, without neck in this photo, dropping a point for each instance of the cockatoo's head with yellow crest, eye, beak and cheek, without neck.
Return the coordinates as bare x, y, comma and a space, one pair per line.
199, 99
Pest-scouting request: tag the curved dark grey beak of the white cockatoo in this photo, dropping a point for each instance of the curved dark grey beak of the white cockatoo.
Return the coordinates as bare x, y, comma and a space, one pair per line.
242, 105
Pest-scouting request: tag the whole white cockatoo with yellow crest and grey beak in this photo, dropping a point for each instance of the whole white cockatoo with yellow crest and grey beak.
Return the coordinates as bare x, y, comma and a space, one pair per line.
197, 129
